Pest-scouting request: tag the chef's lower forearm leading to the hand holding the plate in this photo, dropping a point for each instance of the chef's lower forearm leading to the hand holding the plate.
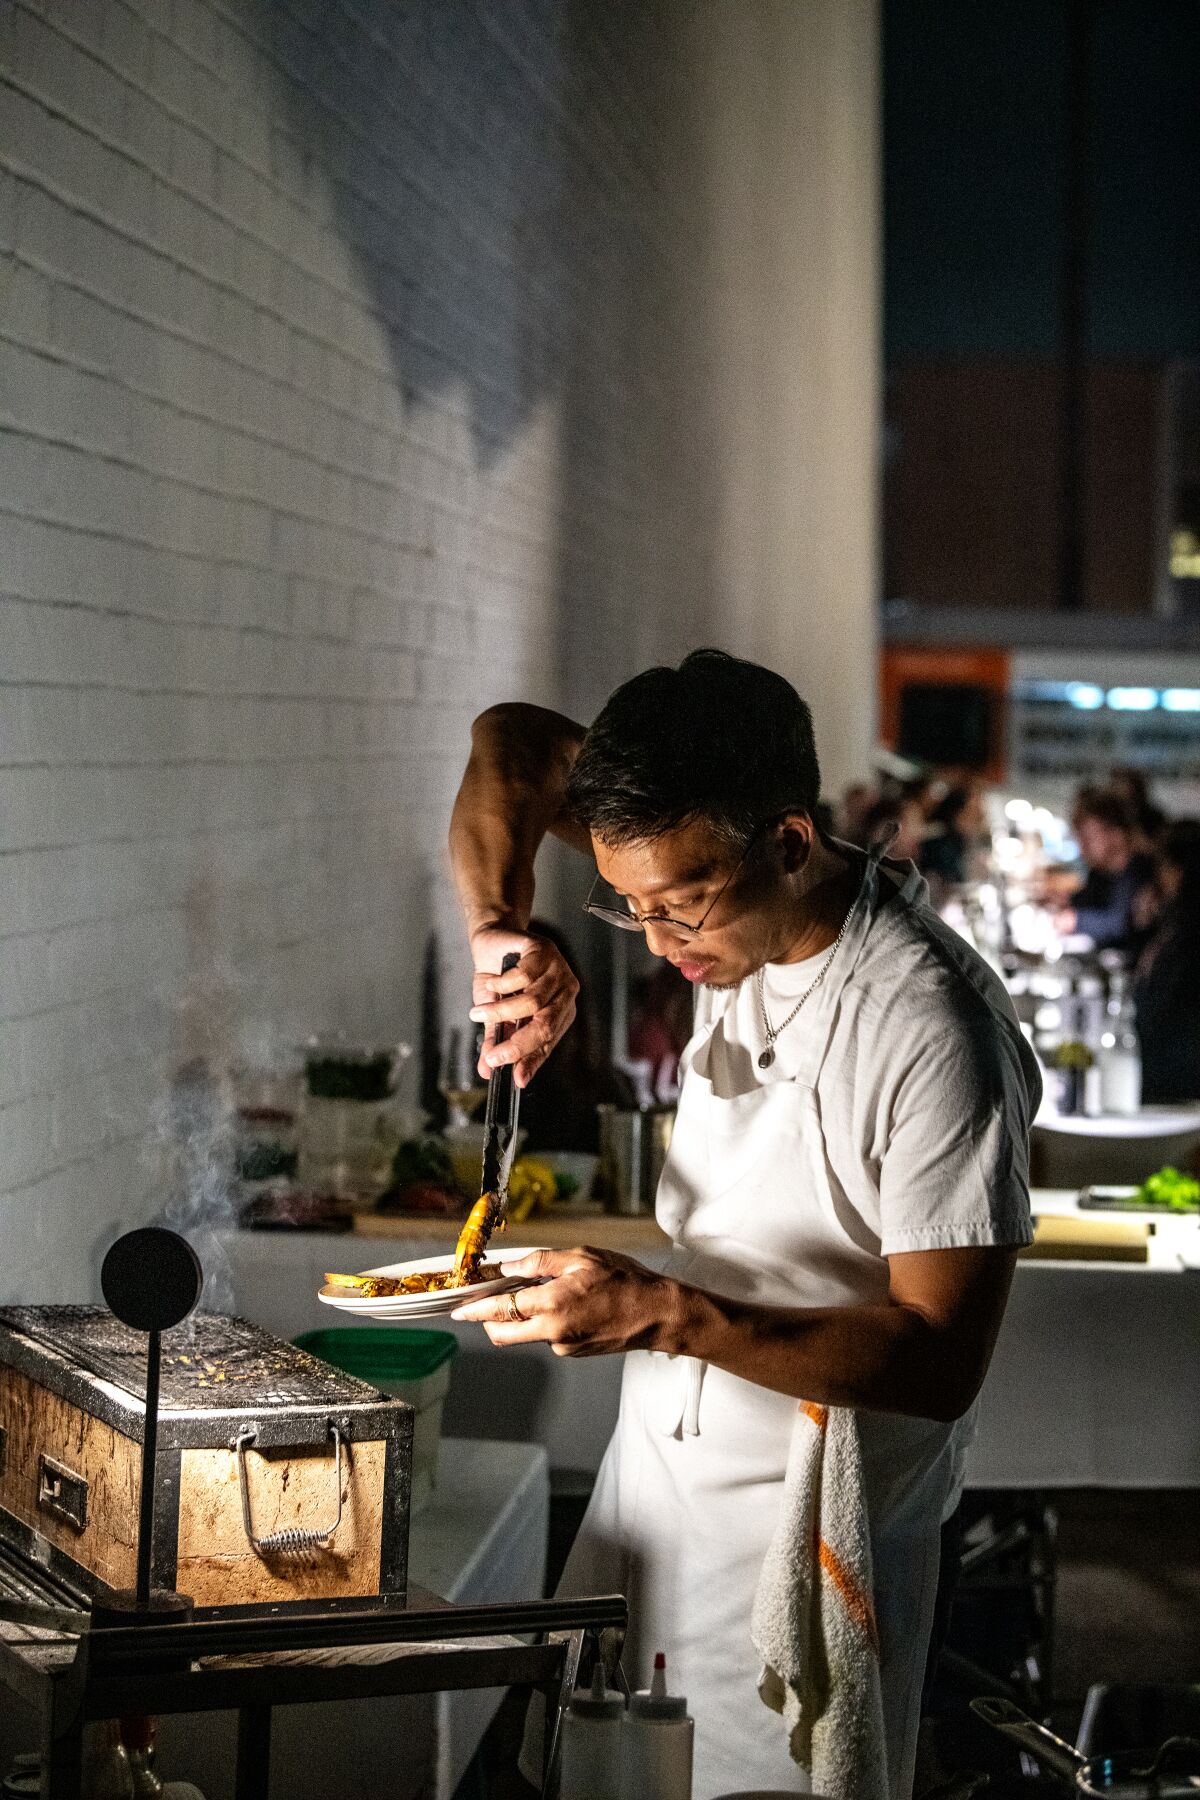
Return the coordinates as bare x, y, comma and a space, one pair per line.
884, 1358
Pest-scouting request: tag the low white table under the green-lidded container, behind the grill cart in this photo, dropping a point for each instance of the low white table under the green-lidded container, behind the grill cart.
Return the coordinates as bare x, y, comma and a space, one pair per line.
481, 1538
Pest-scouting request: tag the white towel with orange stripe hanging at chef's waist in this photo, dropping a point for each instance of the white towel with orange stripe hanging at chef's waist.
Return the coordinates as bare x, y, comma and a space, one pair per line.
814, 1614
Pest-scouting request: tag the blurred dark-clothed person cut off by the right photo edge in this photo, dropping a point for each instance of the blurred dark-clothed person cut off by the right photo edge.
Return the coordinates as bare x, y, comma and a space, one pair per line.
1167, 985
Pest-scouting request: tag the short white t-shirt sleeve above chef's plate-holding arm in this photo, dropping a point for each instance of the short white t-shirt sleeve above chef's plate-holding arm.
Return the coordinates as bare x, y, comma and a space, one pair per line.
956, 1162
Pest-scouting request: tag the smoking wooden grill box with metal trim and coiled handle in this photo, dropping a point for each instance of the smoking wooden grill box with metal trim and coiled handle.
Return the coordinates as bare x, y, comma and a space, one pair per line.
73, 1405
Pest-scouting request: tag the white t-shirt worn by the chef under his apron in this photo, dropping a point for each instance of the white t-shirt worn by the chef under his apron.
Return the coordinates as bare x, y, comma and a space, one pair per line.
927, 1086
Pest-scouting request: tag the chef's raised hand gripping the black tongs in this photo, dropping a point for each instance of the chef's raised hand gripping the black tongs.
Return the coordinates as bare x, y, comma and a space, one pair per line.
539, 994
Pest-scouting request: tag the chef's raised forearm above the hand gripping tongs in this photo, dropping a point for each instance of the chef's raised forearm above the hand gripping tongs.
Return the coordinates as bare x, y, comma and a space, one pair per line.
510, 798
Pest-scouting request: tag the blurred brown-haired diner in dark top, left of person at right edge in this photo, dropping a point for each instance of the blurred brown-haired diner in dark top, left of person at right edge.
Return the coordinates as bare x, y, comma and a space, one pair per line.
1111, 904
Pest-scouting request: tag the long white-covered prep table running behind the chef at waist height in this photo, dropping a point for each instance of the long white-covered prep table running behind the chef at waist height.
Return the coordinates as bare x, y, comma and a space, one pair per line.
1093, 1385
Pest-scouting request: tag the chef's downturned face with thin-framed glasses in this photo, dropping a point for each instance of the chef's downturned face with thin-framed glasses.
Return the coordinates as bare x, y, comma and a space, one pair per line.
683, 876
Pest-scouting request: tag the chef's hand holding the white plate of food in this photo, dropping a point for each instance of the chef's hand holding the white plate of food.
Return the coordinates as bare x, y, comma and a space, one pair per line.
591, 1302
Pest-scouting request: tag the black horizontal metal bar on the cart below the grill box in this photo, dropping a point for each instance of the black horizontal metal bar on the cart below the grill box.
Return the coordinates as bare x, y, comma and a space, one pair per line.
114, 1648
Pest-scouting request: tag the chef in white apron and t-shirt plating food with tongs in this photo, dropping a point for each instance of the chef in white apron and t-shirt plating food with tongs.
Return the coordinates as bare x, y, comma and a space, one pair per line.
846, 1187
